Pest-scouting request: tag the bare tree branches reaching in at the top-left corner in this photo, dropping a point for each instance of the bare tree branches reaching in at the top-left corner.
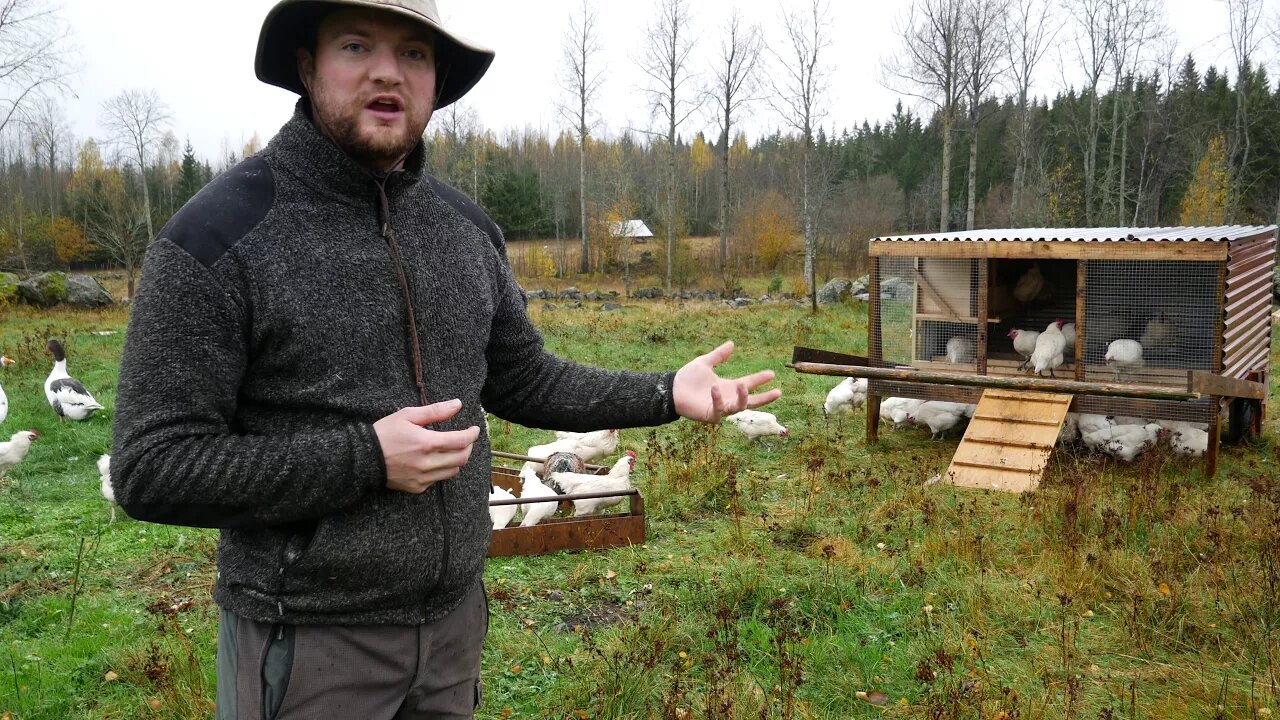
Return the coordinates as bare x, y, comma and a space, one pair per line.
34, 52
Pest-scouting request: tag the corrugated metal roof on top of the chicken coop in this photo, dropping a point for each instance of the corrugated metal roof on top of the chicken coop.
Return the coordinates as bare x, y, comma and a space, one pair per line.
1220, 234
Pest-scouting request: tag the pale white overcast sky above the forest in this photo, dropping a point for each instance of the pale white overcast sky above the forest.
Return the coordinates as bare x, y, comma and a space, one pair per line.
199, 57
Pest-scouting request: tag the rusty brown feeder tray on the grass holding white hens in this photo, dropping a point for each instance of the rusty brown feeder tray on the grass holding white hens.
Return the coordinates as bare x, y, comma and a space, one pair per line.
555, 535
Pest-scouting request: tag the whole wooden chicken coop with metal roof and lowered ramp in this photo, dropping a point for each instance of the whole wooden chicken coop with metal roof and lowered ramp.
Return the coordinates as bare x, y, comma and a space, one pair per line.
943, 308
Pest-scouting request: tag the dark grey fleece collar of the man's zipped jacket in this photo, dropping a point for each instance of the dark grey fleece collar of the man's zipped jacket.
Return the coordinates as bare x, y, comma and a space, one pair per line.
321, 165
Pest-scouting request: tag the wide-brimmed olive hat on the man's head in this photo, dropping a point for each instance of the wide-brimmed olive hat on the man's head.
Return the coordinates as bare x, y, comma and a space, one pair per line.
460, 63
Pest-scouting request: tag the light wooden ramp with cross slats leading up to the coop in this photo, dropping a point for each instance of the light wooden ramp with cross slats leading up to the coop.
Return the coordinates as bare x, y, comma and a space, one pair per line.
1009, 441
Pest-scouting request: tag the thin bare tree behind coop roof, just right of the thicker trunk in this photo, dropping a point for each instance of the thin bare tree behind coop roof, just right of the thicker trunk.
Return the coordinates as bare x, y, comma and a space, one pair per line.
984, 63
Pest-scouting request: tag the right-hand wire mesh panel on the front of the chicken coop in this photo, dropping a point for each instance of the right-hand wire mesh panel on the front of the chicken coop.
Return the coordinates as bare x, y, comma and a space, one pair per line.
1151, 321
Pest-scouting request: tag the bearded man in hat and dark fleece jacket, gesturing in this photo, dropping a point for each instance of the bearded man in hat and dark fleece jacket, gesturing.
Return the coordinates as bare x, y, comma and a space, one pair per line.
305, 367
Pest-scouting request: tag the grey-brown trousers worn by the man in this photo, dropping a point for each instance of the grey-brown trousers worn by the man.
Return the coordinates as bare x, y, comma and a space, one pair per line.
275, 672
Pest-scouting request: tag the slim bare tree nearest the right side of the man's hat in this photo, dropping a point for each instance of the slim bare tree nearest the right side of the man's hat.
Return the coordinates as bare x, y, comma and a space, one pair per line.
582, 79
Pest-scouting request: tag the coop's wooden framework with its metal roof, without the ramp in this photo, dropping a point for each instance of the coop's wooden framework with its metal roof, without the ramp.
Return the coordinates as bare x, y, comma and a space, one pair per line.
1233, 362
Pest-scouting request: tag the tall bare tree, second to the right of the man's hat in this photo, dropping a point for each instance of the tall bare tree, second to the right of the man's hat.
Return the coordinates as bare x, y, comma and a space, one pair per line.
666, 63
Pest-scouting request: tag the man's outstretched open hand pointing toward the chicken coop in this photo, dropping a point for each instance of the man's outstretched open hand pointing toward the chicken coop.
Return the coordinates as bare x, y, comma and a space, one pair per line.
702, 395
